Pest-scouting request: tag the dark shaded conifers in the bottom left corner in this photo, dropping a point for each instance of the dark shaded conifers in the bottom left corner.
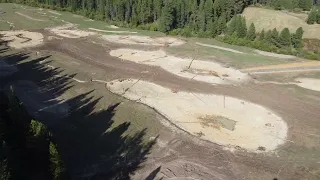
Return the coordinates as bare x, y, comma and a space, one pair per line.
27, 150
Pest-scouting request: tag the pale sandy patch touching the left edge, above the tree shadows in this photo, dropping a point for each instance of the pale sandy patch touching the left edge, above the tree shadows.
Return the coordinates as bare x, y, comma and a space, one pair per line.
22, 39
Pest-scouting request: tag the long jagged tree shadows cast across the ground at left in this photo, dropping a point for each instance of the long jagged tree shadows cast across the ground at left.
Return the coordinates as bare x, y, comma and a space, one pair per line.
89, 142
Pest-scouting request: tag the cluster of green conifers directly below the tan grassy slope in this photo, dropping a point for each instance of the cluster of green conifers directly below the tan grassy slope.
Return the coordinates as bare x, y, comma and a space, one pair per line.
284, 42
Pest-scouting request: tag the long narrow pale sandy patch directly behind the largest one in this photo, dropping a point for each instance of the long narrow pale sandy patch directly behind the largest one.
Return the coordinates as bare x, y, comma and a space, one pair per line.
205, 71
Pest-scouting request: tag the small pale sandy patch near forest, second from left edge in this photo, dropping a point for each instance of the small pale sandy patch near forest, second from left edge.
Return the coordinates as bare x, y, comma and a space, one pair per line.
69, 31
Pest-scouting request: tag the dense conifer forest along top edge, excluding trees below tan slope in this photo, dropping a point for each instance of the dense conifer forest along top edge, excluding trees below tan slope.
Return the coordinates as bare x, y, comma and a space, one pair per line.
189, 17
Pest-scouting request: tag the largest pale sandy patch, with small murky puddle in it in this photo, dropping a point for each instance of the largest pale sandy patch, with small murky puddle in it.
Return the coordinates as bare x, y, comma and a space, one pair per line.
255, 126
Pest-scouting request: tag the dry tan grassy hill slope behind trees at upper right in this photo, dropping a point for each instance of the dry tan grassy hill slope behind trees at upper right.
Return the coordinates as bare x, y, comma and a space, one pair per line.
269, 19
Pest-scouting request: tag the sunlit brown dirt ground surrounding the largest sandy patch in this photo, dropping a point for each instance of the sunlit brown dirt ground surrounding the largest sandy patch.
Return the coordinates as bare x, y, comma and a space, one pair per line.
178, 154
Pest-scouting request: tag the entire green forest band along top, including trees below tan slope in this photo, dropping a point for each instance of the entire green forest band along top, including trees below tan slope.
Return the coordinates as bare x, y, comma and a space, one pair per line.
202, 18
